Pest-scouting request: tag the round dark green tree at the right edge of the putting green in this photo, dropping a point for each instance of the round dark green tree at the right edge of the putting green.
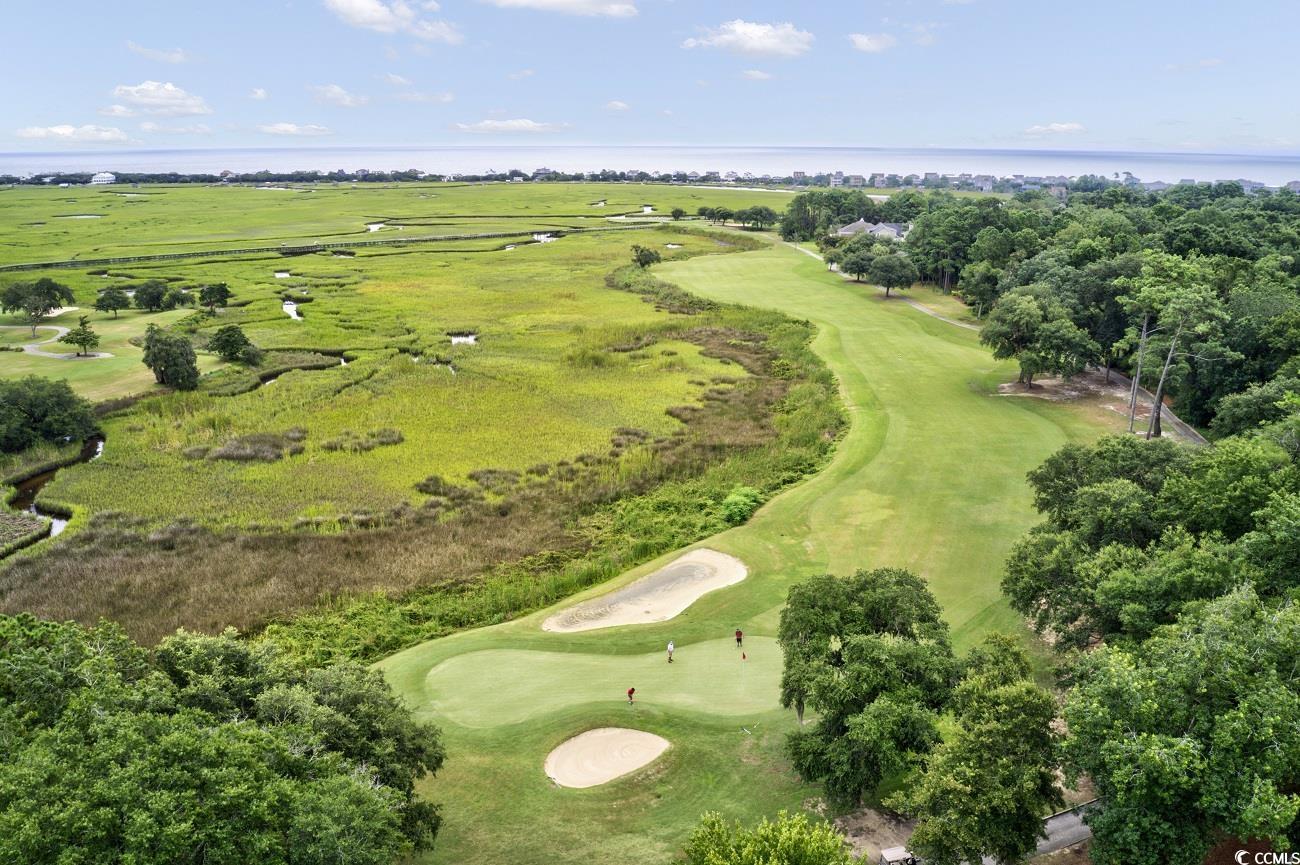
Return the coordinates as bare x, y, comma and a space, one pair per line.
872, 656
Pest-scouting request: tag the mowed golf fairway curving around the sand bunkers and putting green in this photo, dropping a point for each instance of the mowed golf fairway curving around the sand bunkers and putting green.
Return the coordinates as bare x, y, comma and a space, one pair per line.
930, 477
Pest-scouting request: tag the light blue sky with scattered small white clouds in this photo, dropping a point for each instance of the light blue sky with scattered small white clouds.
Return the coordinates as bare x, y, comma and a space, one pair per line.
1155, 75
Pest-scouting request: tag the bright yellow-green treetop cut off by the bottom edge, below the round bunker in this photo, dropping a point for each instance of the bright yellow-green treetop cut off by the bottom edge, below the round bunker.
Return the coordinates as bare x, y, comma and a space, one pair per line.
787, 841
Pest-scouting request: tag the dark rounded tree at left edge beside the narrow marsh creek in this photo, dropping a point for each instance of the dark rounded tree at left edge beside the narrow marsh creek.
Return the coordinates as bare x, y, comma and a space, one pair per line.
36, 410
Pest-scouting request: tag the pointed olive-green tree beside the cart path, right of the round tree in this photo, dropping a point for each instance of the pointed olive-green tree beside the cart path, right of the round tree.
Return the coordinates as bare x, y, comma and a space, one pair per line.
987, 788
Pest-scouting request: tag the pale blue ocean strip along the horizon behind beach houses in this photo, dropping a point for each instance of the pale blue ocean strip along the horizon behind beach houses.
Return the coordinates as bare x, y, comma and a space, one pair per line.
1273, 170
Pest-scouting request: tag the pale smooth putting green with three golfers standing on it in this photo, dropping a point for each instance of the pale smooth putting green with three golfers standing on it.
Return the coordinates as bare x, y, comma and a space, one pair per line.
709, 677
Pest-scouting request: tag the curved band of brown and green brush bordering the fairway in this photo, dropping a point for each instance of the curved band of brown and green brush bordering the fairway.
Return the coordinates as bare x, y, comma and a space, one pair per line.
482, 553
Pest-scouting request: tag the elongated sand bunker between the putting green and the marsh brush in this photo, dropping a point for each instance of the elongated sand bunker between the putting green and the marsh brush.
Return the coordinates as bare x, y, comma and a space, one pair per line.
656, 598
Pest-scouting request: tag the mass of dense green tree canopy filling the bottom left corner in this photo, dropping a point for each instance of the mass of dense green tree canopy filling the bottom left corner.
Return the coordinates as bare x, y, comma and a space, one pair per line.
205, 750
